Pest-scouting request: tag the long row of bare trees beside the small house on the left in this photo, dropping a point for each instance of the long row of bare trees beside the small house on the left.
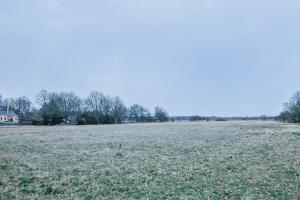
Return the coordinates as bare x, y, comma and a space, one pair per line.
68, 108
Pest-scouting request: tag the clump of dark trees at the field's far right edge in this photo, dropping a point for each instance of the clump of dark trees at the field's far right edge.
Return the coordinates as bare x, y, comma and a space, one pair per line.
291, 112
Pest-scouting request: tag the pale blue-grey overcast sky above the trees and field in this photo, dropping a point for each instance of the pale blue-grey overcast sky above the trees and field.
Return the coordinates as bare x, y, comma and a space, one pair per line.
206, 57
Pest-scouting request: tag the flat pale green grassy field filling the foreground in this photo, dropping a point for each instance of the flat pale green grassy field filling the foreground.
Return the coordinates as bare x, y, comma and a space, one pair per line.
207, 160
